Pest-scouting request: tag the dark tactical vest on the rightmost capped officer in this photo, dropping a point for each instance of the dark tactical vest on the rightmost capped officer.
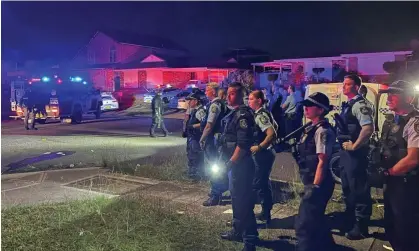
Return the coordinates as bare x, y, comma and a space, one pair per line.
393, 145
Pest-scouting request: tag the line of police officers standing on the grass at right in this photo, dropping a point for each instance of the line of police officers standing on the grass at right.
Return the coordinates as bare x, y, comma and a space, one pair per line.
315, 148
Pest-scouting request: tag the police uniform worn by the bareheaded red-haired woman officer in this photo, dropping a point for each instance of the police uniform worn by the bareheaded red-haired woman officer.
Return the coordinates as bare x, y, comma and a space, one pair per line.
264, 160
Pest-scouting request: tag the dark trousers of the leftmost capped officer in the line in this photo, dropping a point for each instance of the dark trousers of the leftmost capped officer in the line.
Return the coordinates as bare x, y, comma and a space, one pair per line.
195, 157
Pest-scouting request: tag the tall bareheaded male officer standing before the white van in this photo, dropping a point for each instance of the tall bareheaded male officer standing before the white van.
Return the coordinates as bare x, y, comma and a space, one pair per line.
357, 115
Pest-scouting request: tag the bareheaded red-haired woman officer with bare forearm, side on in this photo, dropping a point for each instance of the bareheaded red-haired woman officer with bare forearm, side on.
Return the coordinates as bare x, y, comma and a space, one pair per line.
264, 158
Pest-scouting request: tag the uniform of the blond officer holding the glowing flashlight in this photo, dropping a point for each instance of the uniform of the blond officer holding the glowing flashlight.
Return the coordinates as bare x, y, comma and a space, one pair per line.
215, 113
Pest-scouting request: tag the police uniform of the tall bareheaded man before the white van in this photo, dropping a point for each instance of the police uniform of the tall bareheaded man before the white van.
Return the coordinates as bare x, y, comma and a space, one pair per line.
356, 113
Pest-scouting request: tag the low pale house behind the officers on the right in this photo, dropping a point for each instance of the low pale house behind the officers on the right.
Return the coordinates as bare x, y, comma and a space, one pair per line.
325, 69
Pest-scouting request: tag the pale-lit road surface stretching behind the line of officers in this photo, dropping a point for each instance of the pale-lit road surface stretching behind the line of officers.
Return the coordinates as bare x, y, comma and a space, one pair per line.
95, 141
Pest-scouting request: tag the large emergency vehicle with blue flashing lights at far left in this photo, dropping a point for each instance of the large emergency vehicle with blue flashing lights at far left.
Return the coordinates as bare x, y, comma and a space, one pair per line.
67, 100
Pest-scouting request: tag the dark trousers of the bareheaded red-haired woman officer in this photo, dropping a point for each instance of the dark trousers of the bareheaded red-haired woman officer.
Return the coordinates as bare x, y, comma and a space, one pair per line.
264, 161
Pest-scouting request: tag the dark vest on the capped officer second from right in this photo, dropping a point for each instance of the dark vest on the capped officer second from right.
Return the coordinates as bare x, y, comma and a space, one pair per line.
308, 159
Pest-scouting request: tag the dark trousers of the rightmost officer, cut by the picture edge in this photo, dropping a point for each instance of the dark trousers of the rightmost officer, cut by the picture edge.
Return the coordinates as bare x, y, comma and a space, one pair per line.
401, 212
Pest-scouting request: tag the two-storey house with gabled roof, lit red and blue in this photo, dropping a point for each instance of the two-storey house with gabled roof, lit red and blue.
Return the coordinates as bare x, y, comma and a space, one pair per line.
115, 59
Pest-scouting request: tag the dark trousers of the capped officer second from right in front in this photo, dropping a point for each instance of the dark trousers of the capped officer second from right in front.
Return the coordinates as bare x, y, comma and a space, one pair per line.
311, 228
